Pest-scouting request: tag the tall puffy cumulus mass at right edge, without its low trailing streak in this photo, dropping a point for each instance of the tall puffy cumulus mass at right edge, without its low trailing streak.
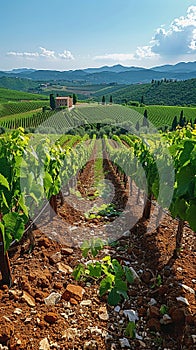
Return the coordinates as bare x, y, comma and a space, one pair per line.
179, 39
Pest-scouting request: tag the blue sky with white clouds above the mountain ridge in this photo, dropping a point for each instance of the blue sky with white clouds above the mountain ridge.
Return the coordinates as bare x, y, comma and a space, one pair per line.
65, 34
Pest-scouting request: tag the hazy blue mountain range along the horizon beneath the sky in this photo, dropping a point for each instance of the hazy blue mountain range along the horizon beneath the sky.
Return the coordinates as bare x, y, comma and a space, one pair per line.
115, 74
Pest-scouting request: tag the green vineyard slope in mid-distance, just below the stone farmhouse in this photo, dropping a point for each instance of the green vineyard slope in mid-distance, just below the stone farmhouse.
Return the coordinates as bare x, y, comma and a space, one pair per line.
17, 115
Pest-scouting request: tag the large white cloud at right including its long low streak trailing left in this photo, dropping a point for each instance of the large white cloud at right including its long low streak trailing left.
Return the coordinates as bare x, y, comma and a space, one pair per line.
179, 39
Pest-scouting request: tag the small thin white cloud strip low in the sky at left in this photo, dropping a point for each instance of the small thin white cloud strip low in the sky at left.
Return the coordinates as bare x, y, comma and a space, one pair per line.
44, 53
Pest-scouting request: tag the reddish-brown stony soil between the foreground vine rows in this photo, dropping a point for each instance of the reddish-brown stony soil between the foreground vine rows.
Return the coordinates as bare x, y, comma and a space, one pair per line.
80, 319
